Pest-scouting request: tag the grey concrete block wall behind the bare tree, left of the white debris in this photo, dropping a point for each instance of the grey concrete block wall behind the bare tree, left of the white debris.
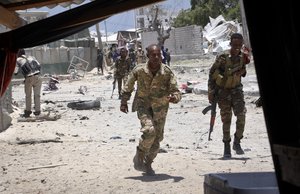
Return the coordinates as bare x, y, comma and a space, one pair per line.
183, 41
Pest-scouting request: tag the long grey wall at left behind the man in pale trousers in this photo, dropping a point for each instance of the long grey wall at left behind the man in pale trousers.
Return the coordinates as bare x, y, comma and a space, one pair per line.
57, 60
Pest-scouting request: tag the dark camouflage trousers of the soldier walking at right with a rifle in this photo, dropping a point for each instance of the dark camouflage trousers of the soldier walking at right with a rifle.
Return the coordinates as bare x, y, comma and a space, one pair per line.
232, 100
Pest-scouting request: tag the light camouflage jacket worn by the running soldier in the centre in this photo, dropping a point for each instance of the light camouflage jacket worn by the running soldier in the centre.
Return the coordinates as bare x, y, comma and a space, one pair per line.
152, 91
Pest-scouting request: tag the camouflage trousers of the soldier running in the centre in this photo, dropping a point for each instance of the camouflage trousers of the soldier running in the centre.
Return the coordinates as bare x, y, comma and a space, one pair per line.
152, 127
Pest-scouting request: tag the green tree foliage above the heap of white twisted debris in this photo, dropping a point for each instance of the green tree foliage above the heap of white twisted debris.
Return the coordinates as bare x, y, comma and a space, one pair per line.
201, 10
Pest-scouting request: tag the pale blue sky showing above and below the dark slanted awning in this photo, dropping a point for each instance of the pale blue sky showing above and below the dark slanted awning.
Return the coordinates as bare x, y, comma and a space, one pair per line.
125, 20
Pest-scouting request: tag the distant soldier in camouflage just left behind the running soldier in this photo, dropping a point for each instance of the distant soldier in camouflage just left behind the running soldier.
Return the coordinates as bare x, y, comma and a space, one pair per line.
121, 69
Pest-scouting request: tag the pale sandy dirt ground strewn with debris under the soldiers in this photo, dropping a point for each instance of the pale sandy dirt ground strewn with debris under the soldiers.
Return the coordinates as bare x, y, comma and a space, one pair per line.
91, 151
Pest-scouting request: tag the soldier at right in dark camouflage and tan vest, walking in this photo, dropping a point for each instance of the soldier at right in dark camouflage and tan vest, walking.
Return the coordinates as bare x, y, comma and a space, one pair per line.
224, 85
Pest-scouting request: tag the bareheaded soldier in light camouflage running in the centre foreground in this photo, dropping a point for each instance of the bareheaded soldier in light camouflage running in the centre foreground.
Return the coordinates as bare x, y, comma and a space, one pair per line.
157, 87
